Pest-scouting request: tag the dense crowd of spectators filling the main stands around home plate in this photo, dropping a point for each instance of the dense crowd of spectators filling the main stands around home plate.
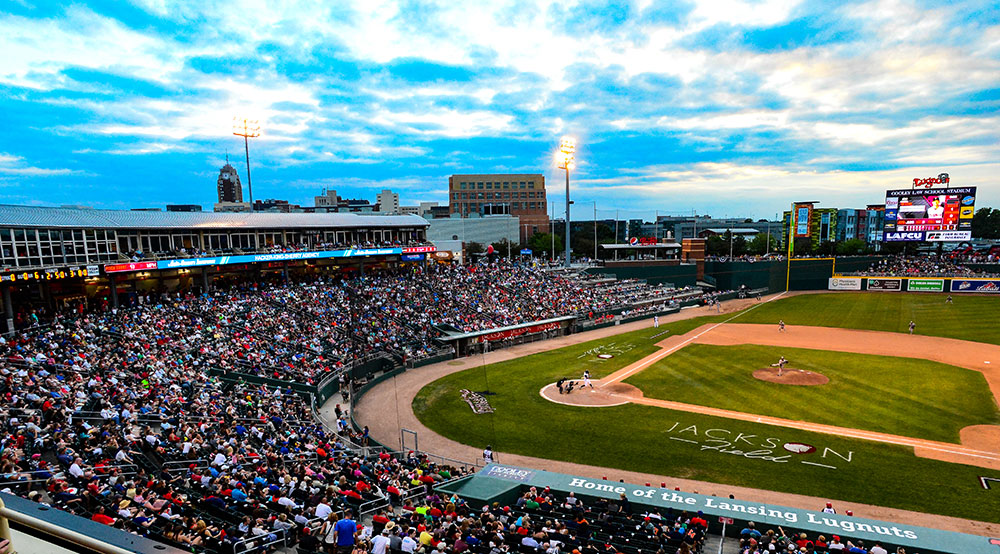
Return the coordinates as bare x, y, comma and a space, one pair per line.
114, 415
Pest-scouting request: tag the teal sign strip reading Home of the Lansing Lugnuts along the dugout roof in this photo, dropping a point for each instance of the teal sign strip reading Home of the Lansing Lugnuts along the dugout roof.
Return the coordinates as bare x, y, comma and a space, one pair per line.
908, 536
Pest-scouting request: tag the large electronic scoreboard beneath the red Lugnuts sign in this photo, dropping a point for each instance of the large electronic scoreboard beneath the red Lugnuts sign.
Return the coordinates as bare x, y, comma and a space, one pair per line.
936, 215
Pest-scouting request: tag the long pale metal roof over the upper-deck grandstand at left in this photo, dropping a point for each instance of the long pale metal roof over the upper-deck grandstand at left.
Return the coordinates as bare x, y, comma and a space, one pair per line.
37, 216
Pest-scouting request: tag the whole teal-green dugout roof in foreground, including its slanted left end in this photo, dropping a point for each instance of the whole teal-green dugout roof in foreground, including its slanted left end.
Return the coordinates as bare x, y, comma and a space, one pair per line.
502, 483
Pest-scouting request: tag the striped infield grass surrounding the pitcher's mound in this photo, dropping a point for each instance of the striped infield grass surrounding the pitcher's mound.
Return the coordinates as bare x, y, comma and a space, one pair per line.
901, 396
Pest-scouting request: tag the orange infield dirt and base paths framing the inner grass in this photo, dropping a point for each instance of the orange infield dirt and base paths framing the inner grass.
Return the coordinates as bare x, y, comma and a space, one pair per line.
979, 442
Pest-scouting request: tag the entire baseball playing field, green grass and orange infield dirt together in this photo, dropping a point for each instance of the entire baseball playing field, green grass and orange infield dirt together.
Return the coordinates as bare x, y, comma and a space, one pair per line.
871, 414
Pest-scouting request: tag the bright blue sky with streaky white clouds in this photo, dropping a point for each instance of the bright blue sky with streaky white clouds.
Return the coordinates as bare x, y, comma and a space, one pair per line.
722, 107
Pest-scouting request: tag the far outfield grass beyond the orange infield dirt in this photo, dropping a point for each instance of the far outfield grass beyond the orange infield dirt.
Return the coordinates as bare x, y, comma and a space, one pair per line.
968, 318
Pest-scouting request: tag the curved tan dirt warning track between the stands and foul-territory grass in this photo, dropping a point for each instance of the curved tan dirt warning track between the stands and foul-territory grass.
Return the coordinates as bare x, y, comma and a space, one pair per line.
387, 407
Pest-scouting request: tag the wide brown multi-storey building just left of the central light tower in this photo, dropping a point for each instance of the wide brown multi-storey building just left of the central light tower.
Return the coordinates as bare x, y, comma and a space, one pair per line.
521, 195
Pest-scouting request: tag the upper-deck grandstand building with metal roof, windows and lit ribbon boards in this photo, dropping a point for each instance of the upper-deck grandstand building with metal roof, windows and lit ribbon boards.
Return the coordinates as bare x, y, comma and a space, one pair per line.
58, 255
